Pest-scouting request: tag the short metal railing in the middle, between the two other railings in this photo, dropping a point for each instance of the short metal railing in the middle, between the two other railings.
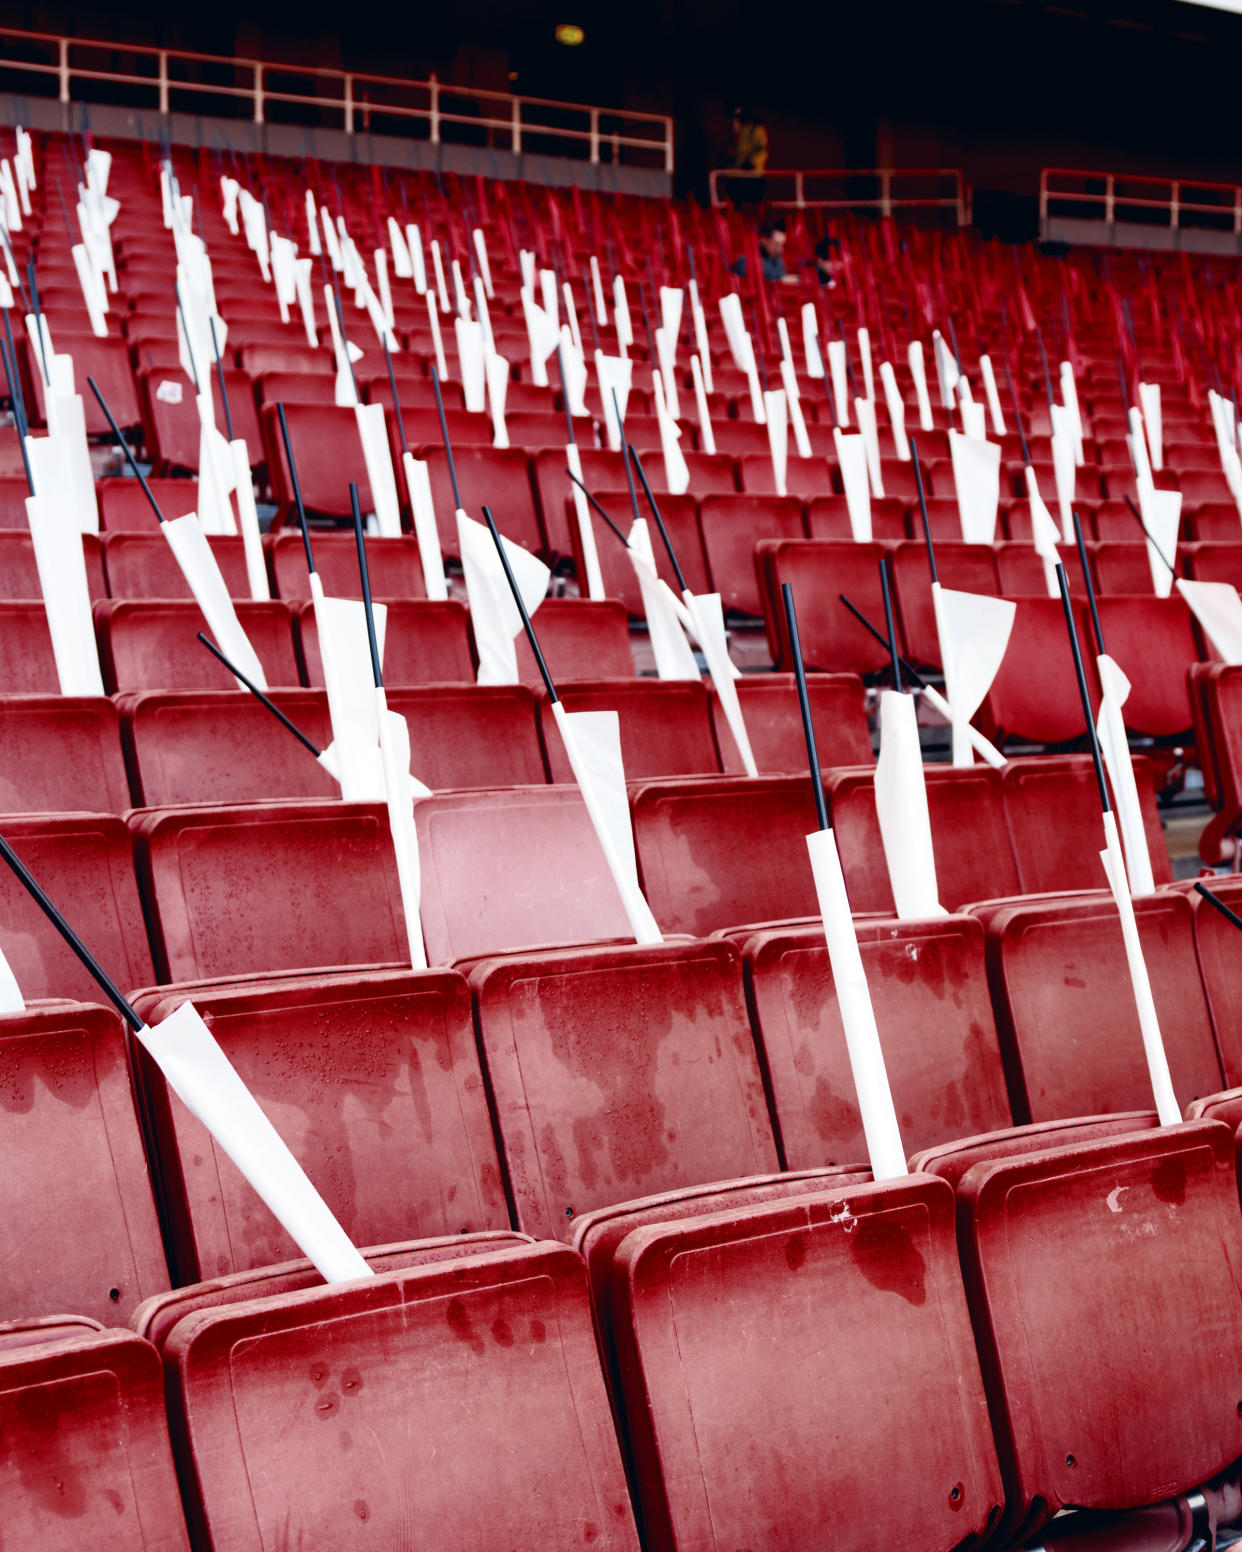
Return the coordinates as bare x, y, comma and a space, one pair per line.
881, 190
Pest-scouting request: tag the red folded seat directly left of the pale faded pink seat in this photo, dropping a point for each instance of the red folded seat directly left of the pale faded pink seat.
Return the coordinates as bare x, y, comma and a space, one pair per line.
269, 887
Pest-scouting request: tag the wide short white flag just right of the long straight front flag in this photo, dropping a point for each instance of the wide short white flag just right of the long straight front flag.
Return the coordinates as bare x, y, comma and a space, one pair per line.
901, 808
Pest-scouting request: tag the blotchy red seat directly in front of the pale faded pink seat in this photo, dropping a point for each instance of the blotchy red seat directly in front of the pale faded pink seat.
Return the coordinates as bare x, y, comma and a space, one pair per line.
588, 1056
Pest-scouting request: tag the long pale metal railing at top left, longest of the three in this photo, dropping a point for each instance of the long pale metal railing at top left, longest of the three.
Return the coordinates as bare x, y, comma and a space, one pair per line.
272, 94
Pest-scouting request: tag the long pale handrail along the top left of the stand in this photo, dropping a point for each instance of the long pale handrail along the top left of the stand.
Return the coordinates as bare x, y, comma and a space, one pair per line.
515, 119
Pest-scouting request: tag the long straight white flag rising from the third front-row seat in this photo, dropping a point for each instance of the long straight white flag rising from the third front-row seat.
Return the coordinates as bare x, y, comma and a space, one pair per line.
884, 1143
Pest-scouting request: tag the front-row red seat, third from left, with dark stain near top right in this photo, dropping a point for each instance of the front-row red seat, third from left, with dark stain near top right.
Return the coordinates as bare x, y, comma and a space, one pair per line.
838, 1315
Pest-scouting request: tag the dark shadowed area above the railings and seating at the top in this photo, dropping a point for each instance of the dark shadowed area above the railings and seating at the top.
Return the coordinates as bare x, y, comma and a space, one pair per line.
997, 88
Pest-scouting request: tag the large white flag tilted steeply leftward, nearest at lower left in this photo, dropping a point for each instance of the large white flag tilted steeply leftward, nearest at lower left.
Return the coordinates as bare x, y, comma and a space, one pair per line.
207, 1084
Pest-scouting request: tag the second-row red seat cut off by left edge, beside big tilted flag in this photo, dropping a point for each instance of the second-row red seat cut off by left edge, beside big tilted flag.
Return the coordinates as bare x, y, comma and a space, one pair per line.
80, 1218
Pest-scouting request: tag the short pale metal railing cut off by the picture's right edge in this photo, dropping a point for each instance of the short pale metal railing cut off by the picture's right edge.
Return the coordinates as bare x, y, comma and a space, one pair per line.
1171, 204
